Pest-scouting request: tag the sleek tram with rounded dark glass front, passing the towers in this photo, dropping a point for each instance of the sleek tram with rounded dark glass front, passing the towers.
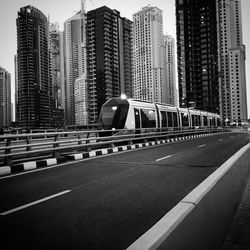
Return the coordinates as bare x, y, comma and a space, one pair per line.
118, 113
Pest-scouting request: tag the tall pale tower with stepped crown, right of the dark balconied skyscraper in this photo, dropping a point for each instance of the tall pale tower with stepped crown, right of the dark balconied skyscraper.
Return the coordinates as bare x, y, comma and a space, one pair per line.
148, 56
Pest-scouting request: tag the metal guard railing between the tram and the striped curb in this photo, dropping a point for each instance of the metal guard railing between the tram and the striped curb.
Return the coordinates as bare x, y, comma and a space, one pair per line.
21, 147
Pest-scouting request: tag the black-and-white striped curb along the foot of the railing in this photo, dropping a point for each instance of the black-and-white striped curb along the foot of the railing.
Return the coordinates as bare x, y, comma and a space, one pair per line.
5, 170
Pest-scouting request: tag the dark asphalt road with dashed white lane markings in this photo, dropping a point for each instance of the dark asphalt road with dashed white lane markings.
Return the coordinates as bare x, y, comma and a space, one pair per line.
106, 202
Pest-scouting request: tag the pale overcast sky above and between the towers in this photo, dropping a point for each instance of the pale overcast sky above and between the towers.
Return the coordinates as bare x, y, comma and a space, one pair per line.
60, 10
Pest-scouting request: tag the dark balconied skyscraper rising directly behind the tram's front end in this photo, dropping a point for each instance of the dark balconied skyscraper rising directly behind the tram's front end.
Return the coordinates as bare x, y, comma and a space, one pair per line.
109, 58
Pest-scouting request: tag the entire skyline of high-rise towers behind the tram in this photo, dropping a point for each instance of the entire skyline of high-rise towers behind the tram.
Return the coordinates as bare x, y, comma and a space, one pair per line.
62, 78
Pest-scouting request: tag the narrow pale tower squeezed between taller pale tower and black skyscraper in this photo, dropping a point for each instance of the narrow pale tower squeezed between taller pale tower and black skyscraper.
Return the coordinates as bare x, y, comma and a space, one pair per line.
169, 66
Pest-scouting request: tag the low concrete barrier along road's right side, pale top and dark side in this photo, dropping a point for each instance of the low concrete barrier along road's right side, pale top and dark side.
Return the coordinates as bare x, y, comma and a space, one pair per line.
201, 219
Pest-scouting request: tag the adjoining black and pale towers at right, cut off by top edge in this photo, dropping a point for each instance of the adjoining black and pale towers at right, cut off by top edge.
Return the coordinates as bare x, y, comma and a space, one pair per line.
211, 57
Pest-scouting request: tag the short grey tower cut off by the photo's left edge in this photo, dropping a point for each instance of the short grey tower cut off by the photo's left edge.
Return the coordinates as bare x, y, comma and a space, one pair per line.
5, 98
